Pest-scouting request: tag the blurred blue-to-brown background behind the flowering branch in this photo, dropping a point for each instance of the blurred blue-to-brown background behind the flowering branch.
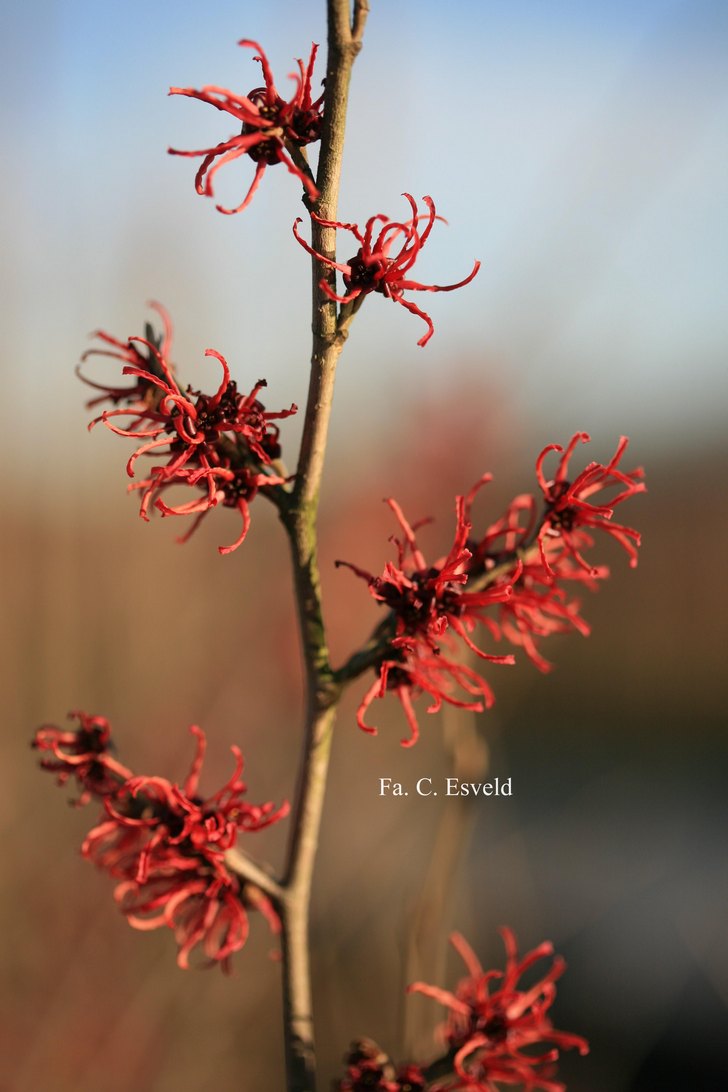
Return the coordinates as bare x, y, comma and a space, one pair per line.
579, 151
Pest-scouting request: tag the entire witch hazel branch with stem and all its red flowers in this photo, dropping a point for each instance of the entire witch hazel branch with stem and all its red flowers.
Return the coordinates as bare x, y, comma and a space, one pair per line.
185, 860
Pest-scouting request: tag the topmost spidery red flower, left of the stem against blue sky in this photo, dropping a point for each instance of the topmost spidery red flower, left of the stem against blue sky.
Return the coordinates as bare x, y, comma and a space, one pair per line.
271, 126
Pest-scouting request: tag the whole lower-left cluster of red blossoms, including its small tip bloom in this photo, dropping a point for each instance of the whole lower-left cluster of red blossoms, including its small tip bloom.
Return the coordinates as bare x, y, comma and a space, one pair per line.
165, 845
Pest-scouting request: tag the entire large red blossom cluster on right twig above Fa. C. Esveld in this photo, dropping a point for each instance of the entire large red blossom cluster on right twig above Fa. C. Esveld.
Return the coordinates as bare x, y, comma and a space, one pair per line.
521, 569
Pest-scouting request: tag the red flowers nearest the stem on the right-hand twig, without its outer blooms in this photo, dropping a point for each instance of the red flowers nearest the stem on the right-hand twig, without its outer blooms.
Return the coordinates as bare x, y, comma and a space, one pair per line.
428, 607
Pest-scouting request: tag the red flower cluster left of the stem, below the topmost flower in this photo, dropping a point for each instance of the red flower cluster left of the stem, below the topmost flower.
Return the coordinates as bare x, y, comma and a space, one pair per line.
223, 445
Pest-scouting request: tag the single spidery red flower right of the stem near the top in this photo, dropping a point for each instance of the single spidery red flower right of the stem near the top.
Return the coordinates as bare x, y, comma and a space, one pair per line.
376, 269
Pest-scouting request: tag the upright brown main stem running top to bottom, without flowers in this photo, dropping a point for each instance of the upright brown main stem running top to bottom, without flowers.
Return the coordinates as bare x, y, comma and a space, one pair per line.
300, 518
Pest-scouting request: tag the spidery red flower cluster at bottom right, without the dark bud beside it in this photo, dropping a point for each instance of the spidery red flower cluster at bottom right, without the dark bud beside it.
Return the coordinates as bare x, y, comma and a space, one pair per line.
494, 1023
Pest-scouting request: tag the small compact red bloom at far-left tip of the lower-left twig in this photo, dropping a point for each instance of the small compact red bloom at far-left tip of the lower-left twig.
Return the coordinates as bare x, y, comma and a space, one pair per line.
82, 754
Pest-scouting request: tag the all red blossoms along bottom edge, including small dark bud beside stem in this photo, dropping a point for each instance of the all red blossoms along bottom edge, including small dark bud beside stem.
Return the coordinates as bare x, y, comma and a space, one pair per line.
496, 1032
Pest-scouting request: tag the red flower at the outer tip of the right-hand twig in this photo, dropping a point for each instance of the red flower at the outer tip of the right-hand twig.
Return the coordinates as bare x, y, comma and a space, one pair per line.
569, 508
